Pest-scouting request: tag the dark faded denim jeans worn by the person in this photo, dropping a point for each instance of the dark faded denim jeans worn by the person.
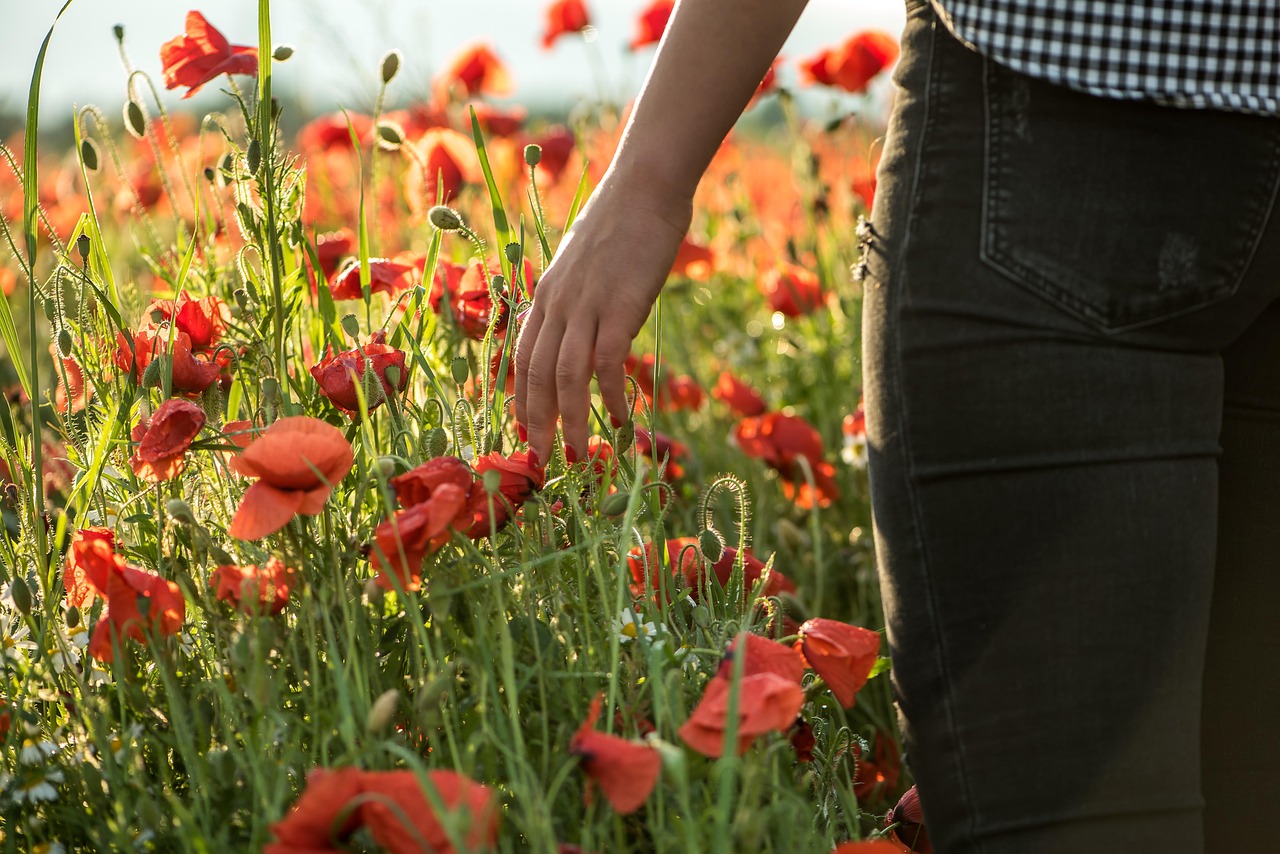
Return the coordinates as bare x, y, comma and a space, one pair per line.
1073, 387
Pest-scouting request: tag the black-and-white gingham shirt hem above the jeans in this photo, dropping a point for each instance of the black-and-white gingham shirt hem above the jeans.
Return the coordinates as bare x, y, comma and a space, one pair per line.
1218, 54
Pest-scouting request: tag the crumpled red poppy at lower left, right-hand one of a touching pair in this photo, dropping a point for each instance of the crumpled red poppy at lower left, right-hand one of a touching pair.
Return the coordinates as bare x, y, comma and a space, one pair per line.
124, 619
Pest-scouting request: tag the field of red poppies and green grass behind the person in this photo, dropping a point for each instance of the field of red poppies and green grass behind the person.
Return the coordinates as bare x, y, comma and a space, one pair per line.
278, 574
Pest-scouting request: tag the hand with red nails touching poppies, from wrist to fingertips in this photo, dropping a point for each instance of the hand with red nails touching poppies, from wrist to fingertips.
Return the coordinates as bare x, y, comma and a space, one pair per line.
589, 307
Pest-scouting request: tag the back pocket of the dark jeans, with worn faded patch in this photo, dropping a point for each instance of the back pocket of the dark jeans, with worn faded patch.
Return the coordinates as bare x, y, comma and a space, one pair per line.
1122, 213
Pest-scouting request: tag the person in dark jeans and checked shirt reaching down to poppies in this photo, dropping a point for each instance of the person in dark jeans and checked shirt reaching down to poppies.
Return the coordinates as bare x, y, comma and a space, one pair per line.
1072, 337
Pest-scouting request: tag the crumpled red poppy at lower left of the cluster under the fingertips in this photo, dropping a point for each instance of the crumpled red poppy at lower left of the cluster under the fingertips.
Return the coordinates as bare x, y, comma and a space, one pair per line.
404, 541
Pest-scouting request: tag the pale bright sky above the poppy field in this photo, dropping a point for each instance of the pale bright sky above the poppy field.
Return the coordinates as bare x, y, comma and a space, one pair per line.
339, 45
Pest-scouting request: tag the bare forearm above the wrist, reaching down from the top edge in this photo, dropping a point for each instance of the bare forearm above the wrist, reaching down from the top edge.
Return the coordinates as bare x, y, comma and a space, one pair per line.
710, 63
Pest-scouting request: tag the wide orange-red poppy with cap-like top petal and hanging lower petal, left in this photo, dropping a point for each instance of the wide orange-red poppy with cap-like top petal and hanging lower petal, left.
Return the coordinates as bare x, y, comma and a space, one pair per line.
296, 462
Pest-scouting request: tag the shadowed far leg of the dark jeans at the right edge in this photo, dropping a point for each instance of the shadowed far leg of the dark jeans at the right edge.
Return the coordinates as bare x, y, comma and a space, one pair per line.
1241, 743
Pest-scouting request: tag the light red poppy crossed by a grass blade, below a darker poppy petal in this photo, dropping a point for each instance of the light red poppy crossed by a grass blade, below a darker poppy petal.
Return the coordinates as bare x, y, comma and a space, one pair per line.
766, 704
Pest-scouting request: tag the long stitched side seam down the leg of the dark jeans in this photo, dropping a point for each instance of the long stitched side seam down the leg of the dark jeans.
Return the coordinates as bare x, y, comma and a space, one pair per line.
898, 382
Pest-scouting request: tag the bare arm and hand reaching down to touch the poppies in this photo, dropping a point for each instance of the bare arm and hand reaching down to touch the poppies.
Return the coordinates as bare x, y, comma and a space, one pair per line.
611, 266
